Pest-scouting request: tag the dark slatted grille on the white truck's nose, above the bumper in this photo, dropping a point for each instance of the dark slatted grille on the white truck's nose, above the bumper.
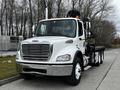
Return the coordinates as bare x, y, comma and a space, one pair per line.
38, 52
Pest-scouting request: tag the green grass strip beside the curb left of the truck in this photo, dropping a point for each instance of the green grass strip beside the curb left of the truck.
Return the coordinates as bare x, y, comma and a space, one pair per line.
7, 67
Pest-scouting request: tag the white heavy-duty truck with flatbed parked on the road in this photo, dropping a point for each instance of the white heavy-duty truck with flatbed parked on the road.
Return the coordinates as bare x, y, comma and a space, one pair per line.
59, 48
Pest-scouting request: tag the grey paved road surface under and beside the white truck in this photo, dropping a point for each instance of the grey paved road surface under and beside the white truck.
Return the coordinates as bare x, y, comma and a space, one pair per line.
104, 77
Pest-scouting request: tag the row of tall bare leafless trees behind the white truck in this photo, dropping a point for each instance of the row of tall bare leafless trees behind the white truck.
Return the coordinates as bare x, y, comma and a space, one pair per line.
17, 17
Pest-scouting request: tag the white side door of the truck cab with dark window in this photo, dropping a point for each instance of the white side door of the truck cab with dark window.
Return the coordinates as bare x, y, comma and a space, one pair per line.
81, 37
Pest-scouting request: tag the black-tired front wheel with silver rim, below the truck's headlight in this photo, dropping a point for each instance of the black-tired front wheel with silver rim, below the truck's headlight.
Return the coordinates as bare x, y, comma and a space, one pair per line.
75, 77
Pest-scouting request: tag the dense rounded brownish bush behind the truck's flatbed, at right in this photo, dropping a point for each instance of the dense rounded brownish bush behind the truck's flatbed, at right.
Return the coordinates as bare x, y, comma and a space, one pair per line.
105, 33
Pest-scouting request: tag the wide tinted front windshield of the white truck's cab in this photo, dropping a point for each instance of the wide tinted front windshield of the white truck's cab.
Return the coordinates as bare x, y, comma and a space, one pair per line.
66, 27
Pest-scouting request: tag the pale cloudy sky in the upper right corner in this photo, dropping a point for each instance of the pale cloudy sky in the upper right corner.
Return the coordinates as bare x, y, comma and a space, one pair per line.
115, 15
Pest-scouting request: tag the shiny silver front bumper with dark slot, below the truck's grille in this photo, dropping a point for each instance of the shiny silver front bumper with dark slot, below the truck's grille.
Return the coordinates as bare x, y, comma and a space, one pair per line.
49, 70
